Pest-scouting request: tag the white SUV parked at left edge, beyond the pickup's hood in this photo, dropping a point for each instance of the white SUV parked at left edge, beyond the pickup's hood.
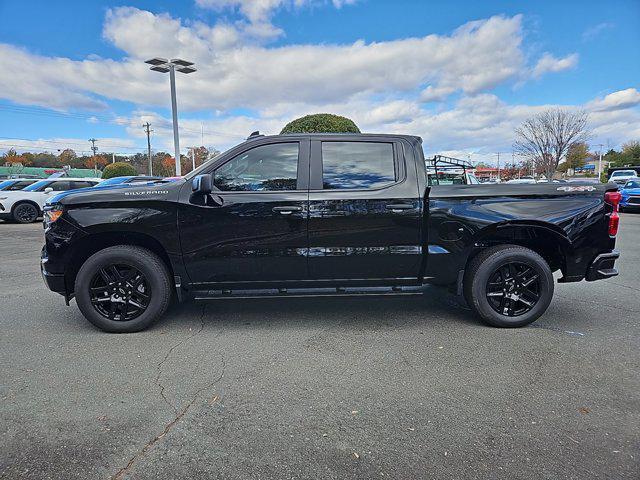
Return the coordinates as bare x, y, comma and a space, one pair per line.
25, 206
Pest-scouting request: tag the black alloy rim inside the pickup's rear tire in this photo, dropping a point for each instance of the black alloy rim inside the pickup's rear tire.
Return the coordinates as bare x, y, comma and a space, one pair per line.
513, 289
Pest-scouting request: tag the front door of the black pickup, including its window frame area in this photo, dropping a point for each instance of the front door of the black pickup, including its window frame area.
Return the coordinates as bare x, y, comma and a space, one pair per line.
239, 235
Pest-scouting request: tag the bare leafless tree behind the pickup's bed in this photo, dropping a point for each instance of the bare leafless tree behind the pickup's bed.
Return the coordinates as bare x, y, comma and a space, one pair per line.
546, 137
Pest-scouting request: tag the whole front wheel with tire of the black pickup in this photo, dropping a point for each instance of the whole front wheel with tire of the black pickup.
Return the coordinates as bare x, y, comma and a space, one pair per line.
110, 299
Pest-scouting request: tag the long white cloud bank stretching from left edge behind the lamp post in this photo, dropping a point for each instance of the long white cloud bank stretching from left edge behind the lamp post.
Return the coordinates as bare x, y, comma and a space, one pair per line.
235, 73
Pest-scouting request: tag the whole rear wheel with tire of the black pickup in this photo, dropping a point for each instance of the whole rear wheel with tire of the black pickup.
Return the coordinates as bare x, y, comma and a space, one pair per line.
508, 286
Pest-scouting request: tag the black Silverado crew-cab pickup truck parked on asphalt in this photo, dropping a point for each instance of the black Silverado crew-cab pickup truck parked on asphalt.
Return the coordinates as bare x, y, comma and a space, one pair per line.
299, 215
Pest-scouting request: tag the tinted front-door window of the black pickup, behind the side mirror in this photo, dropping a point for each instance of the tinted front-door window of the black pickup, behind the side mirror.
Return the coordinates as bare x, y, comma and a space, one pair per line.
263, 168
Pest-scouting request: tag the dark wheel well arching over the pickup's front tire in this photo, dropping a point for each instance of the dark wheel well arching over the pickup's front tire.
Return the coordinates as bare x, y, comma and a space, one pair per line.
96, 242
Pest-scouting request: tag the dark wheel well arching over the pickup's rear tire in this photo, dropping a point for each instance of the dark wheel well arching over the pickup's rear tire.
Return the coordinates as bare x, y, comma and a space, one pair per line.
545, 242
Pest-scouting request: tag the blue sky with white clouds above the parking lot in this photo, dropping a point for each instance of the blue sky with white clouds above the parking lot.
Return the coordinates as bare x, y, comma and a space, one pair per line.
460, 74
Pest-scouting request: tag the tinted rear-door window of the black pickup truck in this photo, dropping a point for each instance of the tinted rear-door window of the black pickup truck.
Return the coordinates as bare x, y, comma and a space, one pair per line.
357, 165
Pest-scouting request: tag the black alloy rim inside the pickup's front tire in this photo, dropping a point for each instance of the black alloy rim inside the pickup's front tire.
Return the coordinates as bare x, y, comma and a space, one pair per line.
120, 292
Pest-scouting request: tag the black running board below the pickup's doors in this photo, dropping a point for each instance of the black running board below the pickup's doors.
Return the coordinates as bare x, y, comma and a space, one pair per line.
308, 292
